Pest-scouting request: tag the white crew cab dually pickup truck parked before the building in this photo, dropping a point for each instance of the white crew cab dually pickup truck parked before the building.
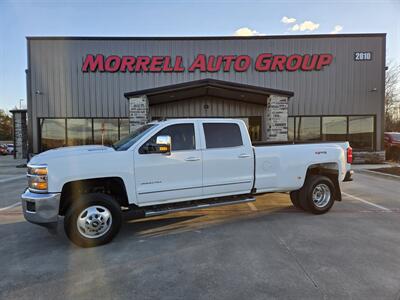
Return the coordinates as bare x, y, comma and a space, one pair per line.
171, 166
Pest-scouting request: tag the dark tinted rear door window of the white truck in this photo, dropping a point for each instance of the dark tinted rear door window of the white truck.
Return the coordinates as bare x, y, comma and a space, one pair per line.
221, 135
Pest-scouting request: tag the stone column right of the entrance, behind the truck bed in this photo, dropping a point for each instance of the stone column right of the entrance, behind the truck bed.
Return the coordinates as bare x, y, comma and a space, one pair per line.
276, 118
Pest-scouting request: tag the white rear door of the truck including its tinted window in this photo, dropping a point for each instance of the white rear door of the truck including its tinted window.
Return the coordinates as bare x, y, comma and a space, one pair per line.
228, 160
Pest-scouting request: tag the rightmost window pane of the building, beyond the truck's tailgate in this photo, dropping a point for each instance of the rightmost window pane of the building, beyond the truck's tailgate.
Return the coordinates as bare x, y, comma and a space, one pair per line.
361, 132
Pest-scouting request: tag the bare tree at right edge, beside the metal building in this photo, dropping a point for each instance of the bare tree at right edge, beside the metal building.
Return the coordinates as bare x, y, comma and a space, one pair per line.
392, 97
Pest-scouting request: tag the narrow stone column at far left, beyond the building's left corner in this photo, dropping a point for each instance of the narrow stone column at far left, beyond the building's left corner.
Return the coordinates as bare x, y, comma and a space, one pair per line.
20, 133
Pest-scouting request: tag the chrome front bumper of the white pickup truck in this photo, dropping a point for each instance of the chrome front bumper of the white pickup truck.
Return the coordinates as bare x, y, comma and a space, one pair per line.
41, 209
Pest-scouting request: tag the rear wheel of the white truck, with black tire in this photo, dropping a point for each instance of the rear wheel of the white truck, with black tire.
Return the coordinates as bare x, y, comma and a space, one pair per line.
306, 194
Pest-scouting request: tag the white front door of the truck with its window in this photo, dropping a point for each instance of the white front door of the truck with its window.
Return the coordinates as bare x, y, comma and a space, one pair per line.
176, 176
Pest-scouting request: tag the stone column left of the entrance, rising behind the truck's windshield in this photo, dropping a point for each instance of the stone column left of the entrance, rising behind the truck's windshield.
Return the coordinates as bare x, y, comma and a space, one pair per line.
138, 112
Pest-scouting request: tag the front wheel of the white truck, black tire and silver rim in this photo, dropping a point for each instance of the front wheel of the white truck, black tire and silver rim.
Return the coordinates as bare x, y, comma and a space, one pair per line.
97, 202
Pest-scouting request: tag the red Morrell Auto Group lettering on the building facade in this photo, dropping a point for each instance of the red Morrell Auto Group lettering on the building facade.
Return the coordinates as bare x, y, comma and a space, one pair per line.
264, 62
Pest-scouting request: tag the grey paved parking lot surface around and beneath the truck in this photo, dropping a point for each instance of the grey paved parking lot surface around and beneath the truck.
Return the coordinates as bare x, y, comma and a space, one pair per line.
262, 250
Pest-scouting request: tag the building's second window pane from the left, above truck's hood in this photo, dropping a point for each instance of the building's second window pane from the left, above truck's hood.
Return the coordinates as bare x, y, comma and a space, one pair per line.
79, 132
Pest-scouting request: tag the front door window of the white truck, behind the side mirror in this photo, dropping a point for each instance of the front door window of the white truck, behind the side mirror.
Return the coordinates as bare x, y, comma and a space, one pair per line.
182, 137
